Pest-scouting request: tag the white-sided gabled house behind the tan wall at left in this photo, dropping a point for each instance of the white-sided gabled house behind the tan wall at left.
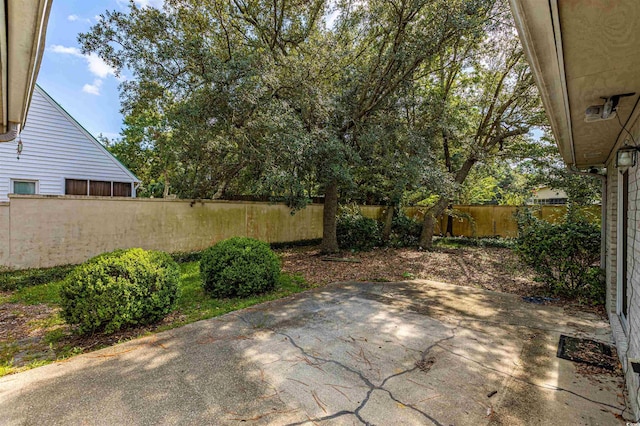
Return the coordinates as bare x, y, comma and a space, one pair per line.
59, 157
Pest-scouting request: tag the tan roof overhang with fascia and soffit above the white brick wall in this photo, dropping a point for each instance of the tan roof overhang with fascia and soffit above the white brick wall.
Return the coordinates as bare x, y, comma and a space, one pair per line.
580, 52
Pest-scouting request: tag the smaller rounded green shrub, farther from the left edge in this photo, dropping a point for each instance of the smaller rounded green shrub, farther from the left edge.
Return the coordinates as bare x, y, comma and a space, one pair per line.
239, 267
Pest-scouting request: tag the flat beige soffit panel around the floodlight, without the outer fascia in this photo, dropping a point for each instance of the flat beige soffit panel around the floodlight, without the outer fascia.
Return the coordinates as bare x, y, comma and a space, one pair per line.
601, 47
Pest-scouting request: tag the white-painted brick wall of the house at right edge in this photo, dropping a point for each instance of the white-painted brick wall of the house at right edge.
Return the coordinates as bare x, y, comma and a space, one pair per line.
626, 331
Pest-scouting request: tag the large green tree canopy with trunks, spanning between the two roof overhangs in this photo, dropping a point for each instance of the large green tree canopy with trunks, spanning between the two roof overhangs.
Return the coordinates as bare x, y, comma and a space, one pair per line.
291, 99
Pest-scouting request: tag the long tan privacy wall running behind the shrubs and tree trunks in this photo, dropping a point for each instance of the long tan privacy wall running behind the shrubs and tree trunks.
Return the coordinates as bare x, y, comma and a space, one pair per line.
43, 231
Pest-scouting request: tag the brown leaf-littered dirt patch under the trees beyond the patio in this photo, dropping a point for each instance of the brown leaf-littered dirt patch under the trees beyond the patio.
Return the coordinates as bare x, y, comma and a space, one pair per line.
497, 269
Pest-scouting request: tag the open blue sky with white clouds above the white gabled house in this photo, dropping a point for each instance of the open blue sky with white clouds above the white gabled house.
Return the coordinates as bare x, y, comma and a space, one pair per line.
84, 85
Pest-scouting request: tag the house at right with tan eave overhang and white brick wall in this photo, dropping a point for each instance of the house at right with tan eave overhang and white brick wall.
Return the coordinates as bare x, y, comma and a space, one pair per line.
585, 56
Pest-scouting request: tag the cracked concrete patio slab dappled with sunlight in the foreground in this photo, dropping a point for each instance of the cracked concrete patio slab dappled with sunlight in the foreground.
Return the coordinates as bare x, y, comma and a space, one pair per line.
354, 353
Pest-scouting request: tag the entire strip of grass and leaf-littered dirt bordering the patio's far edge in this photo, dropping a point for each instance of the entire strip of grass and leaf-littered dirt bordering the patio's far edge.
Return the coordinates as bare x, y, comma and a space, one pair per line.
33, 332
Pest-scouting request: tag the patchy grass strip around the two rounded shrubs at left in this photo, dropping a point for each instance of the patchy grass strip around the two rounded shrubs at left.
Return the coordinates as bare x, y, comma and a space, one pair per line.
33, 332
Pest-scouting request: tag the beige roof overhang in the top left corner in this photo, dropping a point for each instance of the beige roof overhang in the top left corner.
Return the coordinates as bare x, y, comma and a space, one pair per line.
23, 25
